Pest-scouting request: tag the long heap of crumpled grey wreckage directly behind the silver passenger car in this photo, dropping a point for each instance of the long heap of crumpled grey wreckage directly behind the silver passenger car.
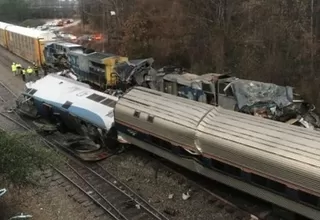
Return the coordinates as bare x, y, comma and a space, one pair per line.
266, 100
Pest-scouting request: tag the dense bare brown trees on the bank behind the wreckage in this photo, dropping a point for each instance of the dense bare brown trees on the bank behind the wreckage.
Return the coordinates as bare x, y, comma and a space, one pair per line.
267, 40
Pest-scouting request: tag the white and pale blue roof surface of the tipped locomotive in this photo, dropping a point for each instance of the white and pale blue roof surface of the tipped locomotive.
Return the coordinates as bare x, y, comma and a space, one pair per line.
82, 101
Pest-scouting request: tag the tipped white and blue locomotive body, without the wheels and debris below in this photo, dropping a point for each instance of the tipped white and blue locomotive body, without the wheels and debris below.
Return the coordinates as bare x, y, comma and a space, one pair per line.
71, 103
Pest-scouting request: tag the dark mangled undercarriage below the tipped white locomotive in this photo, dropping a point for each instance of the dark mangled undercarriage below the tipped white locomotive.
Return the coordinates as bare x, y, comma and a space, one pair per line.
80, 138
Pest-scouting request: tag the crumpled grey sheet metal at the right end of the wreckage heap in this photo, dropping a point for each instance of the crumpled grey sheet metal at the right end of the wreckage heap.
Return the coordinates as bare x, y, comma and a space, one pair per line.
274, 102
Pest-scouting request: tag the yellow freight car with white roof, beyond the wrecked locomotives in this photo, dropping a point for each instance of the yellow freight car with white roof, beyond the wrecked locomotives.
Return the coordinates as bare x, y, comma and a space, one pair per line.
27, 43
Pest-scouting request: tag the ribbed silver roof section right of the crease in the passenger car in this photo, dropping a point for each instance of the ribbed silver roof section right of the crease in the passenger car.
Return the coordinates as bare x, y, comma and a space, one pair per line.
273, 148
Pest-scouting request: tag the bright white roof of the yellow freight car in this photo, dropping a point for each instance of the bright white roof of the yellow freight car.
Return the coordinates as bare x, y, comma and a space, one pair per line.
30, 32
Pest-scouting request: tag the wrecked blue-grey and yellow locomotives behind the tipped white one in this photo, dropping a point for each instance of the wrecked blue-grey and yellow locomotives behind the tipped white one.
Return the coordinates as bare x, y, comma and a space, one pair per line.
101, 70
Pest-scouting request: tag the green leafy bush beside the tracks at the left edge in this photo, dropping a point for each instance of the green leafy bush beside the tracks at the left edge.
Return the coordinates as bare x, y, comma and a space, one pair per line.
22, 155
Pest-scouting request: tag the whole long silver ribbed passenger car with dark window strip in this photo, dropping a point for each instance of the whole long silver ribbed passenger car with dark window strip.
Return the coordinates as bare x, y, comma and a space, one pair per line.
270, 160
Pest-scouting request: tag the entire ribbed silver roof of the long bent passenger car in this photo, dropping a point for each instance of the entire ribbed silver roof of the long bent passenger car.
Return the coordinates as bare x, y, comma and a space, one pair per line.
280, 151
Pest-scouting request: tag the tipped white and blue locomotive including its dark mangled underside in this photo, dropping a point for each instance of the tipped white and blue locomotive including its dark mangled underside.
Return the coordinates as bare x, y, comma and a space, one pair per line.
73, 107
